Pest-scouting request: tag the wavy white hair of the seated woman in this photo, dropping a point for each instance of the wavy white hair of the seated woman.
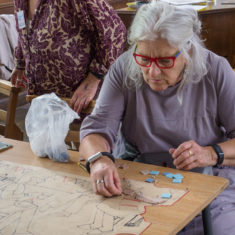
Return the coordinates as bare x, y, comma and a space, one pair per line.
180, 27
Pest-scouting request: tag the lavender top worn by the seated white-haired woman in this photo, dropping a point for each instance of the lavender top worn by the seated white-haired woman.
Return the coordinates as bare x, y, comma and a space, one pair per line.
155, 121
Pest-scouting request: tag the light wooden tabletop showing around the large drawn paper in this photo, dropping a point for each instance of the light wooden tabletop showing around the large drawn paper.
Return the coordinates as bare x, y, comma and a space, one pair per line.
167, 220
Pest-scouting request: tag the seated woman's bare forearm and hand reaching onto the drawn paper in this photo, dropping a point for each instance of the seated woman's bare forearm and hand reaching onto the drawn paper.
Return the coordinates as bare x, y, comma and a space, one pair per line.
103, 172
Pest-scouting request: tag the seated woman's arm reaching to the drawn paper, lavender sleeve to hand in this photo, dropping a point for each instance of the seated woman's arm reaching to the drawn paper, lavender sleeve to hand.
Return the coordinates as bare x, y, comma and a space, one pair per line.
99, 131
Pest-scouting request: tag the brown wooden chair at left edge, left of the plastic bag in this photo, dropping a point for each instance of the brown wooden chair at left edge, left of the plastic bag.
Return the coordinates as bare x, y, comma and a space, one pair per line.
8, 127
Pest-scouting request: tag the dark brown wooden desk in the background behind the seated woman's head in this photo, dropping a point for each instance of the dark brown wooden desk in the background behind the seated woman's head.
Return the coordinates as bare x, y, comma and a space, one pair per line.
217, 26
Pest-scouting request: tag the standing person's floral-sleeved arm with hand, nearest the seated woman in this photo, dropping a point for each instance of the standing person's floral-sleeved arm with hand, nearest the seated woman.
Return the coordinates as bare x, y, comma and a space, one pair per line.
108, 37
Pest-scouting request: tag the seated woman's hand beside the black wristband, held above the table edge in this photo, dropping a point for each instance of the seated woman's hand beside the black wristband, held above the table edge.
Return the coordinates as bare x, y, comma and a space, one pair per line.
189, 155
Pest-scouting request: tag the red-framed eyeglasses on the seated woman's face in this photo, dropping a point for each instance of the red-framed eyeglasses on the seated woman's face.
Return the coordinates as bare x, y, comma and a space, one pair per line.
161, 62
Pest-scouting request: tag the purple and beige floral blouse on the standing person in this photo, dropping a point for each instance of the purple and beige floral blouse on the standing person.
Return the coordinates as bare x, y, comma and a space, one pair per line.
66, 40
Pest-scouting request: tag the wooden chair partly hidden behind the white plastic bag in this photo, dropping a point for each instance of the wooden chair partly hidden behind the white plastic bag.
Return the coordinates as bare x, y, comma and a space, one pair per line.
73, 133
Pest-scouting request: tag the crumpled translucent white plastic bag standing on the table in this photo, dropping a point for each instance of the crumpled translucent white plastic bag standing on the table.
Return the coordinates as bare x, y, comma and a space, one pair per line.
47, 124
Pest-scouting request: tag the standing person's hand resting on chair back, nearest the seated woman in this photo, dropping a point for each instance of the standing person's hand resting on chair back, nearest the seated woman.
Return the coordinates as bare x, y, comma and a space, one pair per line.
84, 93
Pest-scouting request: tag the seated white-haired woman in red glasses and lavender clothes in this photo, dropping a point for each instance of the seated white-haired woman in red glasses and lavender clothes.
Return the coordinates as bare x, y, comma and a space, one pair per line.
175, 101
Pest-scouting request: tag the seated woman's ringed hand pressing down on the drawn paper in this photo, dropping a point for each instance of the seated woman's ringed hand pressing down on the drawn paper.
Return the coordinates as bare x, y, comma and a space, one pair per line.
105, 178
